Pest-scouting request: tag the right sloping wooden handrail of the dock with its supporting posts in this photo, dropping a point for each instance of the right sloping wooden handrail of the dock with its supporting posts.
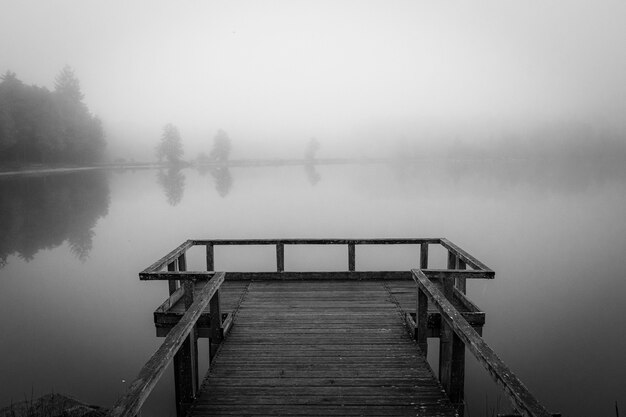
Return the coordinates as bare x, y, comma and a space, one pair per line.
465, 336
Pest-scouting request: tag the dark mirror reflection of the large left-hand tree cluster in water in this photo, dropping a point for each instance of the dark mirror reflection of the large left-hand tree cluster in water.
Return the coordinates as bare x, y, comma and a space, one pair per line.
43, 212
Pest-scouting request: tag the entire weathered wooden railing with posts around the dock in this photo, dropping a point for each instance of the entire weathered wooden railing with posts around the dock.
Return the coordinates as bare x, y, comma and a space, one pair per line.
455, 332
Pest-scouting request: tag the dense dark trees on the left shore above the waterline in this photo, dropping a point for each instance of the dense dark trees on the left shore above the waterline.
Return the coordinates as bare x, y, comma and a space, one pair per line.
42, 126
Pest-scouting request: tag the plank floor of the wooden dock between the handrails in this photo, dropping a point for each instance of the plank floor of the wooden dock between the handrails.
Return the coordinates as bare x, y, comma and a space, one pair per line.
320, 348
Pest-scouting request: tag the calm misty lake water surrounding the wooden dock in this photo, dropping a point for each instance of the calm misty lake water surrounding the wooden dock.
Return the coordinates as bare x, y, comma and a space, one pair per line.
76, 319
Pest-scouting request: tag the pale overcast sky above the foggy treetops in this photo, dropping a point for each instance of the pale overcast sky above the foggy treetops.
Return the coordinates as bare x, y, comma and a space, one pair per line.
326, 68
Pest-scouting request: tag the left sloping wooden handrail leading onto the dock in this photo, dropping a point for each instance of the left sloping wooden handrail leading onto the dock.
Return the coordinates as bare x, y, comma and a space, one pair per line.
130, 404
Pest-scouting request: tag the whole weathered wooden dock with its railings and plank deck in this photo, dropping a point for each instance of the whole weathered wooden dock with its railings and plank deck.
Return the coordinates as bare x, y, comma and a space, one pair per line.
320, 343
